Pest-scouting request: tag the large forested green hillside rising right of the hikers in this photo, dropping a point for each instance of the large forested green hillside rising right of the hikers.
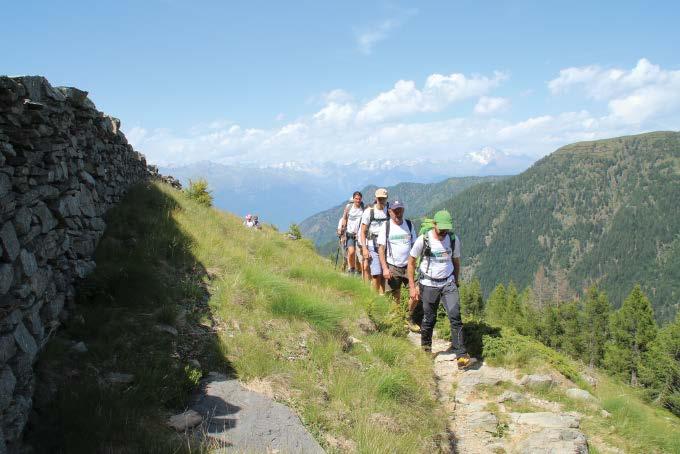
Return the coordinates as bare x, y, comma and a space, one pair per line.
602, 212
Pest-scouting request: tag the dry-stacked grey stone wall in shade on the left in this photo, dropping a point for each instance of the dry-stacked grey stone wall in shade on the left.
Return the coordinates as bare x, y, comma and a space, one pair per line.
62, 165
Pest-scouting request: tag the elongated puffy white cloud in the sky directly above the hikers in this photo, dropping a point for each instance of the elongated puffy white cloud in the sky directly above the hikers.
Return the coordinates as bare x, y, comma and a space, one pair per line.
438, 92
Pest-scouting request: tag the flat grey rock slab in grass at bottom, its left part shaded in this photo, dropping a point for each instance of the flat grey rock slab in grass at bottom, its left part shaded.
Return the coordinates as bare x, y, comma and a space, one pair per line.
245, 421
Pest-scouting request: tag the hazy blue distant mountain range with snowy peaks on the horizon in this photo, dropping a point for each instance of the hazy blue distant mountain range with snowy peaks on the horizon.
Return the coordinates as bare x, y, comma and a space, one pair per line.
287, 192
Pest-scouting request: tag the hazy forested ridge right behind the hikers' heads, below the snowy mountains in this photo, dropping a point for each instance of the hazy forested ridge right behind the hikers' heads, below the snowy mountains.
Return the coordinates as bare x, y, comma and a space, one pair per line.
419, 198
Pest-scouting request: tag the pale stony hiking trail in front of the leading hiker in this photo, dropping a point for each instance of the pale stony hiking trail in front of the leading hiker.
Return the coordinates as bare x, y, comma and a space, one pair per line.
481, 422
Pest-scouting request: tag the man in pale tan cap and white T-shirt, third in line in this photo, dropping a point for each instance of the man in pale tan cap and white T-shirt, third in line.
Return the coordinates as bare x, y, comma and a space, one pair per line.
371, 222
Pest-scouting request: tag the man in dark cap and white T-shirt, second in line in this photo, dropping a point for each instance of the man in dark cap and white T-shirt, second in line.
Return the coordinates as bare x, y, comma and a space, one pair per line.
394, 245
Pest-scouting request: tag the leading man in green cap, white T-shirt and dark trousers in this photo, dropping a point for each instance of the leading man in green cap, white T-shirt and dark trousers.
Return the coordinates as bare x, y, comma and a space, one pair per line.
439, 251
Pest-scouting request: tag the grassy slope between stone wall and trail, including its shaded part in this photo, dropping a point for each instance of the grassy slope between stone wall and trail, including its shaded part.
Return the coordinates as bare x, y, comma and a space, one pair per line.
271, 313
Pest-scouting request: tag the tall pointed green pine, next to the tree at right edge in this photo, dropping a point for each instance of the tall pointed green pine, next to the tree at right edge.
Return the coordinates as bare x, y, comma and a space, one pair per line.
633, 330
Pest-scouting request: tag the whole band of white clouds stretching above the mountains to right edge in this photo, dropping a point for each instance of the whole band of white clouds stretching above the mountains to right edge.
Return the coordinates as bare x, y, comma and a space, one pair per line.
343, 130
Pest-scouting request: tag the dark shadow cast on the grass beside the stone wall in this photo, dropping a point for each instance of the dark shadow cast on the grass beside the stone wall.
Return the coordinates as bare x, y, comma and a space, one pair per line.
147, 283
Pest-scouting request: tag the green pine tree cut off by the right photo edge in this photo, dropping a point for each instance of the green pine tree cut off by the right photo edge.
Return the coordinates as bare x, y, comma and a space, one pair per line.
660, 371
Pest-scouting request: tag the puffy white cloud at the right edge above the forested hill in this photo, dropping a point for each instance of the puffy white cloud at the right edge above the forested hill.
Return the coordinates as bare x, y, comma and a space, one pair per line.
633, 96
